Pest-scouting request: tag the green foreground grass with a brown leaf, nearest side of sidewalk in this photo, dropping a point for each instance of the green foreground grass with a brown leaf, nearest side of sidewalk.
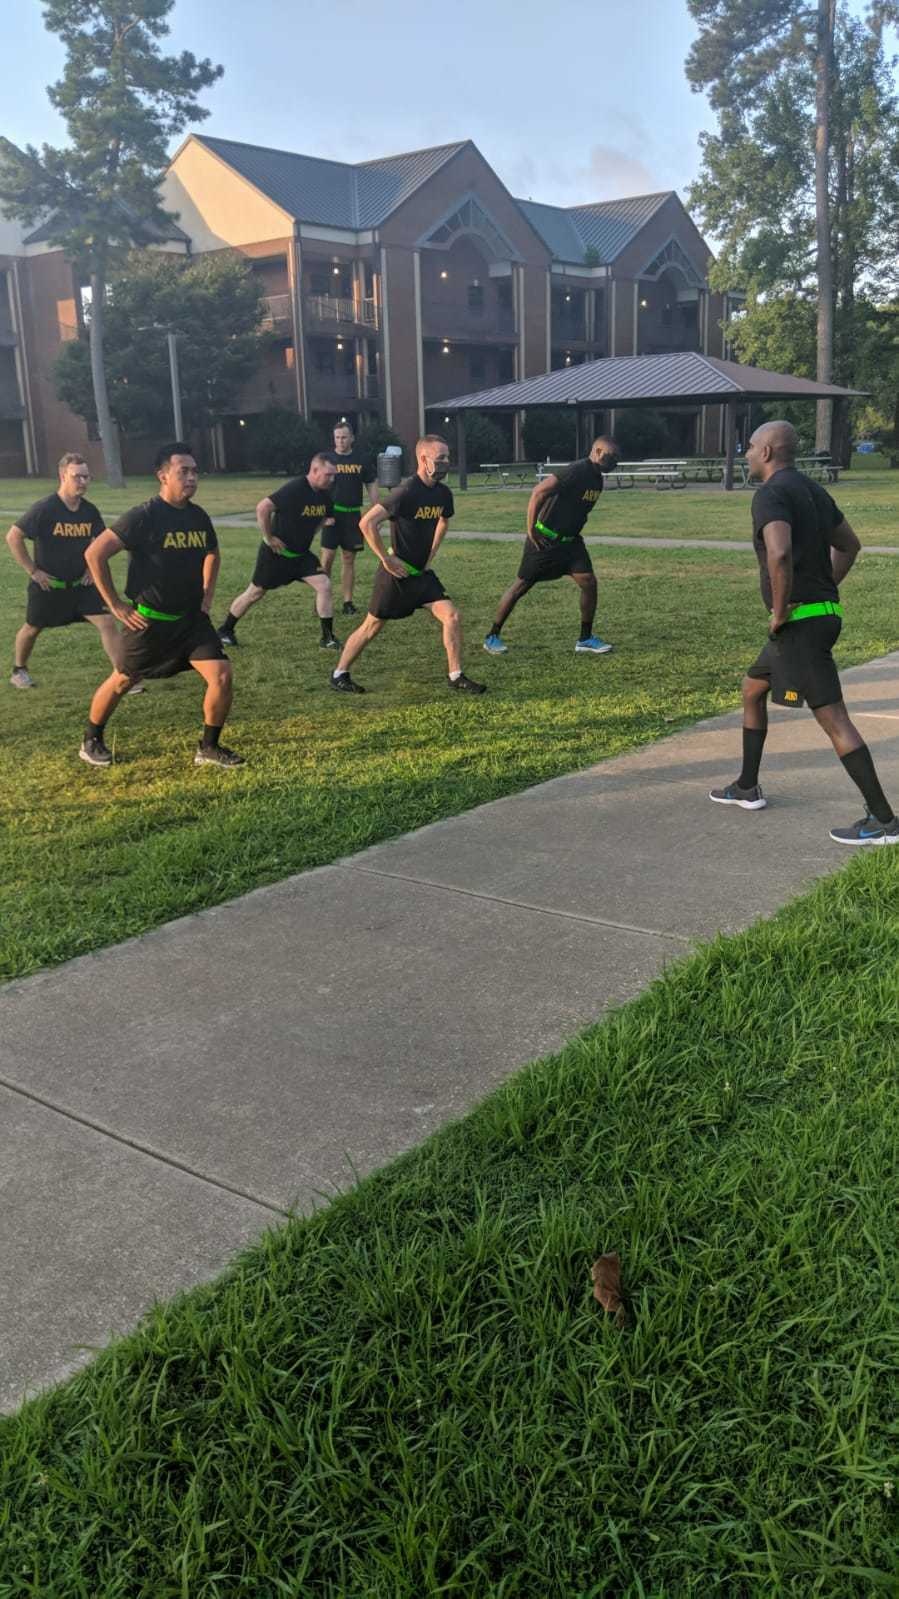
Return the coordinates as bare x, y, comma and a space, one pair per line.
415, 1394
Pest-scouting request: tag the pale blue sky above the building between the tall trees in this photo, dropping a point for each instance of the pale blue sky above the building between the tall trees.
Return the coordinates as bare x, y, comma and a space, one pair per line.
569, 103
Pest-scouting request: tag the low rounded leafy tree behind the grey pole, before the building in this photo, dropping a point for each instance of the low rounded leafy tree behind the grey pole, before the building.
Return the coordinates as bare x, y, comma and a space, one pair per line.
212, 305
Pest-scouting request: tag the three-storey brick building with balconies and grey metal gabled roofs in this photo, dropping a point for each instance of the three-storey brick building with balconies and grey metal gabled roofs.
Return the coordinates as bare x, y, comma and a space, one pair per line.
390, 287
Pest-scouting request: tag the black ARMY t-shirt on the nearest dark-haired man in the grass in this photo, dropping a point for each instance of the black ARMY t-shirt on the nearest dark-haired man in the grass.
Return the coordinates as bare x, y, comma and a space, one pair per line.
167, 548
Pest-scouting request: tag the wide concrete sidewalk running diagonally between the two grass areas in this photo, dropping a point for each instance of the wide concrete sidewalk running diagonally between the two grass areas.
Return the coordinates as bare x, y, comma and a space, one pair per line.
167, 1099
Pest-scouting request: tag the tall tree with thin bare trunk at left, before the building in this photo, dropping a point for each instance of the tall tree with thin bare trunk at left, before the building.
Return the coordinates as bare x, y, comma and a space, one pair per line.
122, 102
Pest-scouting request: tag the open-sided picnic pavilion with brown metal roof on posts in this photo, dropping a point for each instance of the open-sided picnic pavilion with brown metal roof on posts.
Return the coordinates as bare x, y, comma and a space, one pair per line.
685, 378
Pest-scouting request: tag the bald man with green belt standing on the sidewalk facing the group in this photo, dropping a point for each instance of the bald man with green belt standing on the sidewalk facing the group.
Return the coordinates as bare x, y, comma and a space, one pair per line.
805, 548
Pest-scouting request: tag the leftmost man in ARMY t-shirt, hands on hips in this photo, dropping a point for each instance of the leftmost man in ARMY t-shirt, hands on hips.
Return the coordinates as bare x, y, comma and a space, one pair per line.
62, 591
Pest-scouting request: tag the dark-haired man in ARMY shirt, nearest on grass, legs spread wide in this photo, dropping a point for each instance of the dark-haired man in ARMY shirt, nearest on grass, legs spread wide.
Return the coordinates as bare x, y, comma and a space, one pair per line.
172, 580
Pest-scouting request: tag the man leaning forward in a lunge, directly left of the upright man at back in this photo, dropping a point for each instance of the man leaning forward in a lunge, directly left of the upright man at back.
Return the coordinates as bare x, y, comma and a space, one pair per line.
289, 522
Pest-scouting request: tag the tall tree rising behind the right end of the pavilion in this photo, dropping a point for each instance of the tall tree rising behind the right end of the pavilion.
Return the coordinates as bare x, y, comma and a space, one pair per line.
799, 183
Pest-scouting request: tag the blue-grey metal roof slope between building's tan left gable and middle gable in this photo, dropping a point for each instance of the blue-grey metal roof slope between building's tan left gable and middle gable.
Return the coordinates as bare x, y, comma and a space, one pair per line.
334, 194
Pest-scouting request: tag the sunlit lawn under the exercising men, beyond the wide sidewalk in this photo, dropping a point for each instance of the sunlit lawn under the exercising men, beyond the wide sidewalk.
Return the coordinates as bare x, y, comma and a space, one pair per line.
90, 858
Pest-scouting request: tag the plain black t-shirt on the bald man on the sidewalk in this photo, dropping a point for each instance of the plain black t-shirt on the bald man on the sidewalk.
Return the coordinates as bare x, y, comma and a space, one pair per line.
789, 496
